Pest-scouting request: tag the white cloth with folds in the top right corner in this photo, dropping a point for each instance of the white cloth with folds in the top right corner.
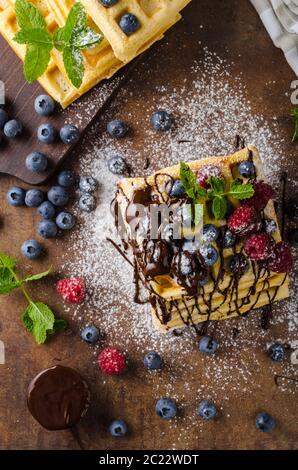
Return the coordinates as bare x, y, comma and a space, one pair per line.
280, 18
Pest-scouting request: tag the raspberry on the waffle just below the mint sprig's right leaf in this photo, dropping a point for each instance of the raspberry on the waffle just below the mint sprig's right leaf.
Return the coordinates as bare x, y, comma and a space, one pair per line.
244, 221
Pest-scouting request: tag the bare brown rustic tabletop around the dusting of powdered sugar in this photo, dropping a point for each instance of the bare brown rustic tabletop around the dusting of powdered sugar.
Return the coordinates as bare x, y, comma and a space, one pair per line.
234, 31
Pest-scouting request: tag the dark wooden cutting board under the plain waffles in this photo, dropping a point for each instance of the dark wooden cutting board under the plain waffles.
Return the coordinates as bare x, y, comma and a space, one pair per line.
20, 96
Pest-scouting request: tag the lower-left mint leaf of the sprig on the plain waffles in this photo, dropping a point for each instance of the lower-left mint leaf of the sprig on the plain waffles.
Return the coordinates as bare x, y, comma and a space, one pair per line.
36, 62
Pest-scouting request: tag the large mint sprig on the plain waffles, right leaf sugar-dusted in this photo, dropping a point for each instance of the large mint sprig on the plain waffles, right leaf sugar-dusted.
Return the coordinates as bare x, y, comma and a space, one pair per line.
70, 40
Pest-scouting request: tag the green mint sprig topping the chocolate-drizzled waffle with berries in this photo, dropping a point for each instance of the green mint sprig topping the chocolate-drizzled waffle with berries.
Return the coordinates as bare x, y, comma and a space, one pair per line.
217, 192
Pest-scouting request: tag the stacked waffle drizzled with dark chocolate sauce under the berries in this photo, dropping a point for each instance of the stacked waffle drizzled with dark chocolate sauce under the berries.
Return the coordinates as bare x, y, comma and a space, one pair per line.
208, 293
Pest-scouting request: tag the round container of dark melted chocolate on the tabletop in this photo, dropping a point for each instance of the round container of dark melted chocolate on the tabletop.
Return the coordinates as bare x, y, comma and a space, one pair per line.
58, 397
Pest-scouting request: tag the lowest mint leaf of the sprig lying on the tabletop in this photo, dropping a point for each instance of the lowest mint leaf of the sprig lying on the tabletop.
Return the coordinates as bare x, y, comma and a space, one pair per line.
42, 319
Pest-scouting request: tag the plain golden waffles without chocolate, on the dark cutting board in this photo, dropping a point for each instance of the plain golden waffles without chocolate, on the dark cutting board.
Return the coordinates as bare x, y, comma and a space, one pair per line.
101, 62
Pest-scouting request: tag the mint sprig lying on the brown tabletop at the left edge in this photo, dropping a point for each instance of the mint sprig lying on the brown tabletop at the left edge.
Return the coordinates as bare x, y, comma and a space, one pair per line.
38, 318
